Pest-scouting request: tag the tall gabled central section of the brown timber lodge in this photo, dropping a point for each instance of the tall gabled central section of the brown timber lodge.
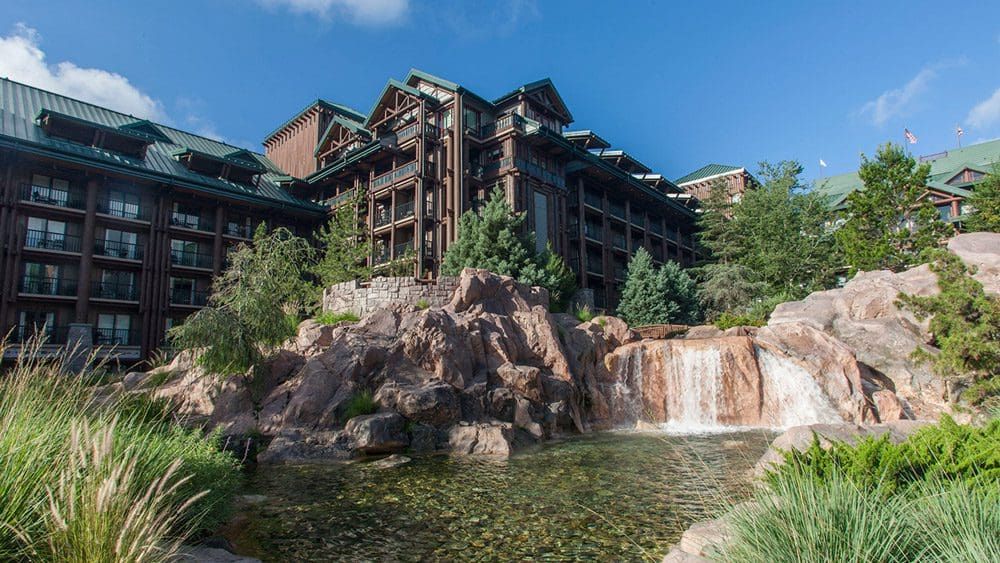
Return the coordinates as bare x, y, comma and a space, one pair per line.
430, 150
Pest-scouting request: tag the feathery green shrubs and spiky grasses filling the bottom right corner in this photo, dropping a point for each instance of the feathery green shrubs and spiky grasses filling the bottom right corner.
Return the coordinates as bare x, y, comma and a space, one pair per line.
935, 497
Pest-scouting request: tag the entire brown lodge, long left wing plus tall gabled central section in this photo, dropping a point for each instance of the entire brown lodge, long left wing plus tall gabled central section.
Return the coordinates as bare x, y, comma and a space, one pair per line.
112, 226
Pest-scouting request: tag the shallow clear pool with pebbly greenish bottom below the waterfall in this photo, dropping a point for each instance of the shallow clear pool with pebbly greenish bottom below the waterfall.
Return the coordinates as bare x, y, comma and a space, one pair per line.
606, 497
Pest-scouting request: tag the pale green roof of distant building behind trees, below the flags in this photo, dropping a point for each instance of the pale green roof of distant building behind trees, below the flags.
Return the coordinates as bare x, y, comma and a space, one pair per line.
944, 166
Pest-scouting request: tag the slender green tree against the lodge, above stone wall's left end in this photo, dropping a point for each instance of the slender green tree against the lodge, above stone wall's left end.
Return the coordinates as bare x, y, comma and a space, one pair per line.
344, 240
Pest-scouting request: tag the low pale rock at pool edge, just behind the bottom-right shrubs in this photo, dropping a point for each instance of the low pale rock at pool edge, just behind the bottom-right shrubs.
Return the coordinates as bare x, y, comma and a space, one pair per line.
801, 437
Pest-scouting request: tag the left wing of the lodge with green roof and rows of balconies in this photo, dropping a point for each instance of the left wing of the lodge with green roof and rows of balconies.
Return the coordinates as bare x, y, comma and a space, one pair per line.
111, 227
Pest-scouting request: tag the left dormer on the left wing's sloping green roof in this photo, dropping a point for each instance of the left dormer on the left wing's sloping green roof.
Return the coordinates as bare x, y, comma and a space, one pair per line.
125, 141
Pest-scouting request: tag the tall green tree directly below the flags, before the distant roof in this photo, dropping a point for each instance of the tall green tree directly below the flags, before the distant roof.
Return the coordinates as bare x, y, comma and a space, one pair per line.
888, 224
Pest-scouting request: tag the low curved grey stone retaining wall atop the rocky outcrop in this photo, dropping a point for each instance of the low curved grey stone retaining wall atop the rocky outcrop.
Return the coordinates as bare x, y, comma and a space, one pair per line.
361, 298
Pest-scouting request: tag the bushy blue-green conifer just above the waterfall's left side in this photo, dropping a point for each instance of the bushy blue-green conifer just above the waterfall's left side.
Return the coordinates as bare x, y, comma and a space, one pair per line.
657, 296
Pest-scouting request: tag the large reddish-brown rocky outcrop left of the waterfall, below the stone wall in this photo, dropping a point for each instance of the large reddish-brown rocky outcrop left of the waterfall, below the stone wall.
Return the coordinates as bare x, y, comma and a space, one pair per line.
491, 371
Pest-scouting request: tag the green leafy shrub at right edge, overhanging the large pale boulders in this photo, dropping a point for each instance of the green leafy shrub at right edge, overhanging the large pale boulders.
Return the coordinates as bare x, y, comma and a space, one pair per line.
965, 322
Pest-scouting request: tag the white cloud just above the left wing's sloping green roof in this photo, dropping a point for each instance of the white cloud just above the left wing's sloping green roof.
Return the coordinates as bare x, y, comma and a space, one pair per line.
22, 59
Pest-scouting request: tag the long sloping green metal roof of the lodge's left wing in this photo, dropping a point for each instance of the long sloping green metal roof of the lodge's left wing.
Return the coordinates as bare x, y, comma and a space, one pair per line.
20, 103
